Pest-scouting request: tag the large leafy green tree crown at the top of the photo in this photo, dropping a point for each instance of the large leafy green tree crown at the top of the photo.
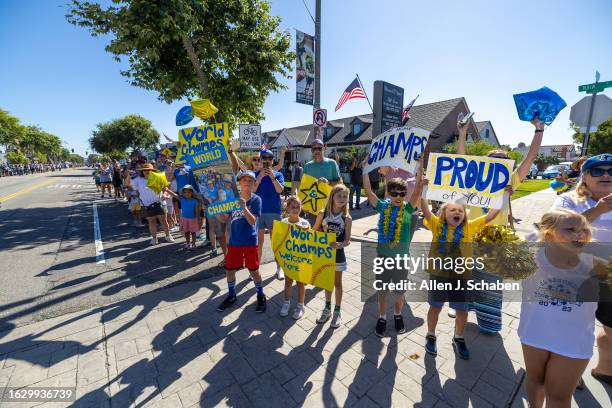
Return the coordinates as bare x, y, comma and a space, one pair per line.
226, 50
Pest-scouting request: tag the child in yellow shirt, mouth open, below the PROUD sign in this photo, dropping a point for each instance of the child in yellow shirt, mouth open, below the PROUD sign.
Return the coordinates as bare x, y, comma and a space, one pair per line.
452, 237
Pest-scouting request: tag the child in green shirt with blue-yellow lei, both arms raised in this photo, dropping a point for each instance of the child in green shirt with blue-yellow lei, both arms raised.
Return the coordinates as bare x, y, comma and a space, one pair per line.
393, 239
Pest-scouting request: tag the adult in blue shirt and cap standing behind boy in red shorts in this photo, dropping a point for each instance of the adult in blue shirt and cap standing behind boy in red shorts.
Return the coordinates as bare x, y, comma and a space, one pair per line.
269, 185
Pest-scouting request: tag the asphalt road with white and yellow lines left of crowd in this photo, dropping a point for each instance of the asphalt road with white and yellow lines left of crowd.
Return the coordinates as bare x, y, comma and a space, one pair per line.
48, 263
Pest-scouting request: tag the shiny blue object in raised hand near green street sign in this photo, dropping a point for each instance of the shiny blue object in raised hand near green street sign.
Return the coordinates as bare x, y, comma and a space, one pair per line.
544, 103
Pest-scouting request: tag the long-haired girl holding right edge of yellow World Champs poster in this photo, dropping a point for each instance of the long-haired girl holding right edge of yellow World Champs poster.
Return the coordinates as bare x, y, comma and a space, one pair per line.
335, 218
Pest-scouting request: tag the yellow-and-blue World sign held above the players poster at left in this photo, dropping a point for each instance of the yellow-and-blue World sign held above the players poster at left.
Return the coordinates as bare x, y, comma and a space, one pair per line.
201, 146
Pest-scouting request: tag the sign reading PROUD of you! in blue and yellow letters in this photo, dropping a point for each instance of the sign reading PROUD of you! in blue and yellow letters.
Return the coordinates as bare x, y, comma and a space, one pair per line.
470, 180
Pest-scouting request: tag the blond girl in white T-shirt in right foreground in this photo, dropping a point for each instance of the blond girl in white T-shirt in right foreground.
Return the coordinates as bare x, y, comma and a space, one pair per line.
557, 324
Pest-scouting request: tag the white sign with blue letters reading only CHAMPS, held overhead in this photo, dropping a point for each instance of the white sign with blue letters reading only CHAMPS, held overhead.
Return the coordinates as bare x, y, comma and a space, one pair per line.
399, 147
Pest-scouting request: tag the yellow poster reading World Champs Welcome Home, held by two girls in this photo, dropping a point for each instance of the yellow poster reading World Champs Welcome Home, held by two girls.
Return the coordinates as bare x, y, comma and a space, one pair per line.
304, 254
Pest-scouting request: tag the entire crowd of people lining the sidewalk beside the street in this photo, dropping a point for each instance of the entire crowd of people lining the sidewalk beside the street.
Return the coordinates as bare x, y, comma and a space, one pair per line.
557, 343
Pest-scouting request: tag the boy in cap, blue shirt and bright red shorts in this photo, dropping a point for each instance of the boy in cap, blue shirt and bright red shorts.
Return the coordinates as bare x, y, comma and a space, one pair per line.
242, 250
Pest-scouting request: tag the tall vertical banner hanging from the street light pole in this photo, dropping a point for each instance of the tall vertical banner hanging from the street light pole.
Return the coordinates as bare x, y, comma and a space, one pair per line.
305, 68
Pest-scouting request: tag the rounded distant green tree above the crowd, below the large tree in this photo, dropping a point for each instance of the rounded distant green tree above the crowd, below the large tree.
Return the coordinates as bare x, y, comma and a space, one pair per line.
130, 132
